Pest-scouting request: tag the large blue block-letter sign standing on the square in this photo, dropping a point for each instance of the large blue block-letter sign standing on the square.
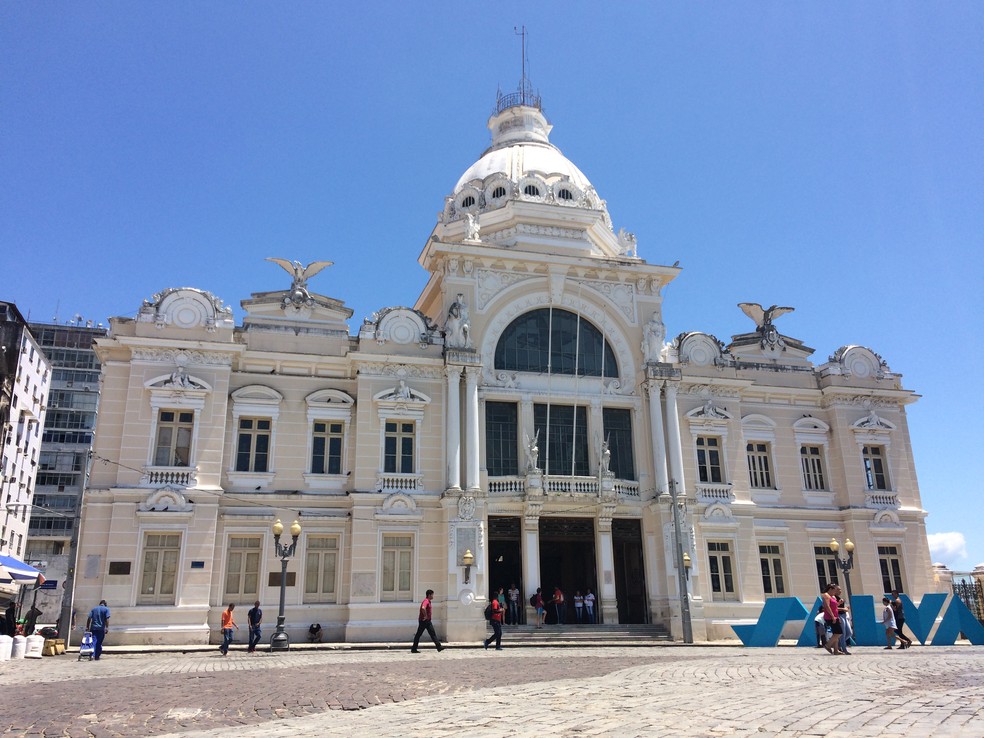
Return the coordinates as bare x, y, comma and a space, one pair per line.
868, 630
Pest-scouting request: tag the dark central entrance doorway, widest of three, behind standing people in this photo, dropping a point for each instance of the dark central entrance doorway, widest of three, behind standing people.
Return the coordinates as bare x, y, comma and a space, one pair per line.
567, 560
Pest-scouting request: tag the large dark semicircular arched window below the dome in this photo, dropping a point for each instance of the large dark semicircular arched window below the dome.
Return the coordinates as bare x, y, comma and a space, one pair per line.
555, 340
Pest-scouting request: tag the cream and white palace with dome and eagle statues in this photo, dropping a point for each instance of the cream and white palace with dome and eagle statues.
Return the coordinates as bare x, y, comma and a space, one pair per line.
528, 409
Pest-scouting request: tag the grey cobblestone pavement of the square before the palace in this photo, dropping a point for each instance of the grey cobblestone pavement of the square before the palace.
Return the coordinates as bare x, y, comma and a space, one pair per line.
657, 691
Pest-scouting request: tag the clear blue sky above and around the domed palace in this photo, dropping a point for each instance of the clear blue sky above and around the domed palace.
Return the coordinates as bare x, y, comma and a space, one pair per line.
827, 156
